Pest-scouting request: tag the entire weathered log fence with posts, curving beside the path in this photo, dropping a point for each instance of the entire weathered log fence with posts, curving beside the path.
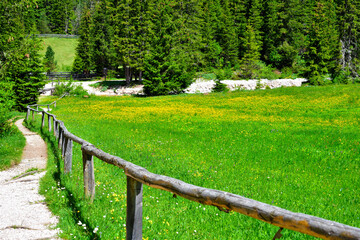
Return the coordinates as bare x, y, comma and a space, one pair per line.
224, 201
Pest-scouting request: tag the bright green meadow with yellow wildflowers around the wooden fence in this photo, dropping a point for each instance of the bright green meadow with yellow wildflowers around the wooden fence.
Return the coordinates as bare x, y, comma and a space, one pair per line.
295, 148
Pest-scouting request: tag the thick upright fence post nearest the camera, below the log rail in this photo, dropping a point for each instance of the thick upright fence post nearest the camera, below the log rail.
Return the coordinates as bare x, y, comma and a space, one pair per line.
134, 209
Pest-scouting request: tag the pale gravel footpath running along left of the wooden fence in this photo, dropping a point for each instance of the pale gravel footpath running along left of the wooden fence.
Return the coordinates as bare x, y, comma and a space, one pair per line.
23, 214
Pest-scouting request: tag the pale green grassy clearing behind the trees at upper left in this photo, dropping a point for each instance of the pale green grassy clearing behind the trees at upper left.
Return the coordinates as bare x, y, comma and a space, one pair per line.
64, 49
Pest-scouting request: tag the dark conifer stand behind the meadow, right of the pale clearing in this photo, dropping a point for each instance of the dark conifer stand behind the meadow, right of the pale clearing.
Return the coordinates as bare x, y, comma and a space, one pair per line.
316, 39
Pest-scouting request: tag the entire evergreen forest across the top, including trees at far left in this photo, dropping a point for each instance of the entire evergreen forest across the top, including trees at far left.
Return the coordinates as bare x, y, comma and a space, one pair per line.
167, 42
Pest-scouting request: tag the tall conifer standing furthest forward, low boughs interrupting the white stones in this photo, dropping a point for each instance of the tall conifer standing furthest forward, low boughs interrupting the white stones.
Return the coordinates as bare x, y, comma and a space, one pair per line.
164, 72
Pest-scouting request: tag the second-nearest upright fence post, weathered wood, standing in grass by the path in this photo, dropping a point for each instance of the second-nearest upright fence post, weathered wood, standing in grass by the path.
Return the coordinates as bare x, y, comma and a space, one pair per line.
89, 177
